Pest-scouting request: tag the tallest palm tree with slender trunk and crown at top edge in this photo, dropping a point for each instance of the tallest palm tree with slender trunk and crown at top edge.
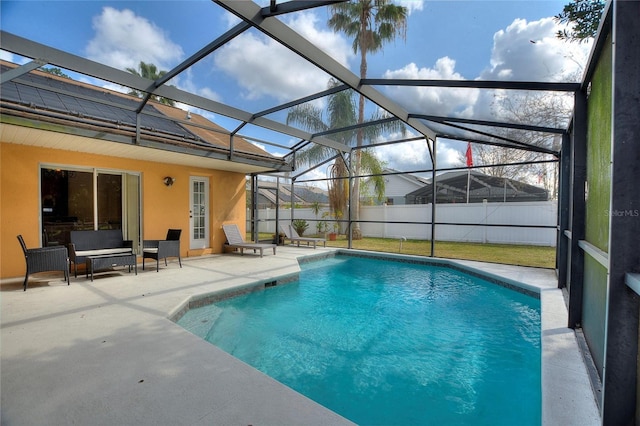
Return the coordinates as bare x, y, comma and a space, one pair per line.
371, 23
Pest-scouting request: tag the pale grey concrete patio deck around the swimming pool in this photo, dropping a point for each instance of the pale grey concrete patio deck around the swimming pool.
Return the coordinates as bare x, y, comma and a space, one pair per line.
105, 353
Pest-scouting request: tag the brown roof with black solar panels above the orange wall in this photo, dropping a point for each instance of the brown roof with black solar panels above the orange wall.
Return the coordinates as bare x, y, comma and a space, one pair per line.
79, 108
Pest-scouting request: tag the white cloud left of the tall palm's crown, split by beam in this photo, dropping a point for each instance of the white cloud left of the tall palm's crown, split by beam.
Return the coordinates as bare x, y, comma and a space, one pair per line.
264, 68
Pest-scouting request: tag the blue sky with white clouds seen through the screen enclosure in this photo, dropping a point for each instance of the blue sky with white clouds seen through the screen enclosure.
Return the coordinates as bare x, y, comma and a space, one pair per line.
456, 39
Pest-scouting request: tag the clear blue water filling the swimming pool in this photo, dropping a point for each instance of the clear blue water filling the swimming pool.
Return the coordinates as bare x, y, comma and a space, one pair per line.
390, 343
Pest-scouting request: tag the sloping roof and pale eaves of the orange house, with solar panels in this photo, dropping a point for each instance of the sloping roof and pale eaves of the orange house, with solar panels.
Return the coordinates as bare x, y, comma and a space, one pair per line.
43, 102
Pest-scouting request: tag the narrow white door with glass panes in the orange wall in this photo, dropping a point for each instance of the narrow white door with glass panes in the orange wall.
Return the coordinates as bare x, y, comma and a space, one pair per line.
199, 213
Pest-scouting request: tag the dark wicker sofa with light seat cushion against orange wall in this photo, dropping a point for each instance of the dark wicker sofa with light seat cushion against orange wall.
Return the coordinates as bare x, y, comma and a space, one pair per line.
96, 243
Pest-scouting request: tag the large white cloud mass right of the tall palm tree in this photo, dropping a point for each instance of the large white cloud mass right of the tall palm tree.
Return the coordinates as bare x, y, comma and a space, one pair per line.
523, 51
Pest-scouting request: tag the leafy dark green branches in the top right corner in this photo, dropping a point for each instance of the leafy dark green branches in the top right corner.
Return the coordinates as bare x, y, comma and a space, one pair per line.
584, 15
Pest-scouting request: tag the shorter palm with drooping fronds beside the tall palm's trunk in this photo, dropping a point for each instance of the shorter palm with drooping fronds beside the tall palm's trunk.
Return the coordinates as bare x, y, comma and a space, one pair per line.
341, 113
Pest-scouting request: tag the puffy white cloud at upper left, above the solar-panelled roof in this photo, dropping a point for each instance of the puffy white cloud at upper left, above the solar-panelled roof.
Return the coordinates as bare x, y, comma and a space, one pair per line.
123, 39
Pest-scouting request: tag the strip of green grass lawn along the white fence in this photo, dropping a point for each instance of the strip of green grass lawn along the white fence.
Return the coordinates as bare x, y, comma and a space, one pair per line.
522, 255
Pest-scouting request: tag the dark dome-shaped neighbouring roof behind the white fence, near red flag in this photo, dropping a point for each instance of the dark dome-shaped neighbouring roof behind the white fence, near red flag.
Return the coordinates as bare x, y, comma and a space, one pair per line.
452, 188
